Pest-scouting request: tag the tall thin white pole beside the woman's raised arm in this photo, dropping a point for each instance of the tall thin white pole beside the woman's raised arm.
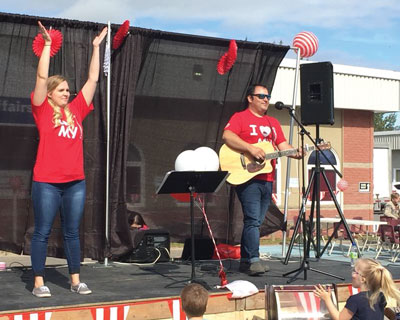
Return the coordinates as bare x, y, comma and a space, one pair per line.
108, 143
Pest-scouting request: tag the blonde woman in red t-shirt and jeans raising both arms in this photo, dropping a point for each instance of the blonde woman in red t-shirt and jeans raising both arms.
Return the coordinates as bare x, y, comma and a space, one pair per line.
58, 175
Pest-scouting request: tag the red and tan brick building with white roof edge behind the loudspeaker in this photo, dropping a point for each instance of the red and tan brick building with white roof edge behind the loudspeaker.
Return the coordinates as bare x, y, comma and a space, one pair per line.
358, 94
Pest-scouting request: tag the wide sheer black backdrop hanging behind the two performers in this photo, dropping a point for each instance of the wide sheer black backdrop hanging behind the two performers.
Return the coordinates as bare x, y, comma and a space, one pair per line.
166, 97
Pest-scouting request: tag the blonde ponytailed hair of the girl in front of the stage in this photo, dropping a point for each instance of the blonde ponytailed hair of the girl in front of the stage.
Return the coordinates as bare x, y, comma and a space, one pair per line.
378, 279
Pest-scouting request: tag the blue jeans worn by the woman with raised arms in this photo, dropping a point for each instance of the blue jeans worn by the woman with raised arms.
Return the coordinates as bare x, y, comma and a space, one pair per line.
48, 199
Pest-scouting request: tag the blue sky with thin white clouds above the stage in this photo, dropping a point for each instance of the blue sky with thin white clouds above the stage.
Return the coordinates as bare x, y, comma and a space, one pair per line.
363, 33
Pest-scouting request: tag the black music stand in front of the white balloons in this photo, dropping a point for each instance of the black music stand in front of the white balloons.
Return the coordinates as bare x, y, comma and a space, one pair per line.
191, 182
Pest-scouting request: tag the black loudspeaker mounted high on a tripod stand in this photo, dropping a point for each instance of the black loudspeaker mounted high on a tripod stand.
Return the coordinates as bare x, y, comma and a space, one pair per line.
316, 82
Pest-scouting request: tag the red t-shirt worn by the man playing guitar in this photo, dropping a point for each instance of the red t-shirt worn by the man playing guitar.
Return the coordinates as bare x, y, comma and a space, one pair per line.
253, 129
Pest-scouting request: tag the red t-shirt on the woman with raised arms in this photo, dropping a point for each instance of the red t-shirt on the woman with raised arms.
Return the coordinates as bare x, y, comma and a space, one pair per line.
60, 153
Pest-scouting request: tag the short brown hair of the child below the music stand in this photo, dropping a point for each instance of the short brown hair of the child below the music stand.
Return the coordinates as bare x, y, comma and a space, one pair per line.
194, 300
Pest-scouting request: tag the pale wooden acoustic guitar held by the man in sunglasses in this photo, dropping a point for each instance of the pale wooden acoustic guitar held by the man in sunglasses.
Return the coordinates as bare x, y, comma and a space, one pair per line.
242, 166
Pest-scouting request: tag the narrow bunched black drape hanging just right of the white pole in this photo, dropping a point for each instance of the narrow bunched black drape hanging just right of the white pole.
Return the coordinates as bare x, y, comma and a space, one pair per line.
126, 67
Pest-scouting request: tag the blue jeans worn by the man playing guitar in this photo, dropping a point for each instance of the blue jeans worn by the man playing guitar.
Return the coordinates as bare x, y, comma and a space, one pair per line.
255, 197
